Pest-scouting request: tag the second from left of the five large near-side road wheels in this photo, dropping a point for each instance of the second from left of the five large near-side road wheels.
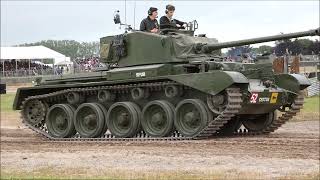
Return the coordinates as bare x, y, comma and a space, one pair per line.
89, 120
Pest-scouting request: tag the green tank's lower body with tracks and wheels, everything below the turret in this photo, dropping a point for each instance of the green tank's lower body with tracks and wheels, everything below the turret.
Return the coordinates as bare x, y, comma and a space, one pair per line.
219, 96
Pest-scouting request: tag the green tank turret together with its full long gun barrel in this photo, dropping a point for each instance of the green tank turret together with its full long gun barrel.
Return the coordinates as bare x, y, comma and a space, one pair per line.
141, 48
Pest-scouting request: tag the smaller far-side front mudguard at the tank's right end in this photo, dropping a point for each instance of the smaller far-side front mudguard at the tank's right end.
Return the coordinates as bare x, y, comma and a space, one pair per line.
292, 82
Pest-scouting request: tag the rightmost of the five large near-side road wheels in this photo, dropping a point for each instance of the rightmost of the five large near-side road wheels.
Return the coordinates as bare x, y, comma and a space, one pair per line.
191, 116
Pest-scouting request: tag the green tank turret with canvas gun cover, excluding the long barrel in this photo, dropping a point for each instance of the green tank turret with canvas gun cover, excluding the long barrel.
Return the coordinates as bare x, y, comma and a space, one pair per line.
141, 48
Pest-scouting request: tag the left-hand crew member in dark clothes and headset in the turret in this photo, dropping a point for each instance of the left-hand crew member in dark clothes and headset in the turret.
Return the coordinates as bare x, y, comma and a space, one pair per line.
150, 24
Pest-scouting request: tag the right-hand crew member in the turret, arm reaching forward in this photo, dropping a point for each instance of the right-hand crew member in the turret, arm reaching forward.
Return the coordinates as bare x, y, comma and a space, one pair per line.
167, 21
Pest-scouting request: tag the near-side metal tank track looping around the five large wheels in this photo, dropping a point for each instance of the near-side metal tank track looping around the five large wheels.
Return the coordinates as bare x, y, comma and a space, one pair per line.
232, 108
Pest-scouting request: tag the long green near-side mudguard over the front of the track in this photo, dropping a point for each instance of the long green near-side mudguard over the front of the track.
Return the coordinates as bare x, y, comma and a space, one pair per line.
211, 82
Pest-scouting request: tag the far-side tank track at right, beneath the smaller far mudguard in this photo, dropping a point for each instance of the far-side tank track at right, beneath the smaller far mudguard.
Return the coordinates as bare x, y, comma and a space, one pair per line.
295, 107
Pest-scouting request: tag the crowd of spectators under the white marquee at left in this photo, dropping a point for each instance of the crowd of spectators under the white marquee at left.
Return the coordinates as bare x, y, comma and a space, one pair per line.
22, 68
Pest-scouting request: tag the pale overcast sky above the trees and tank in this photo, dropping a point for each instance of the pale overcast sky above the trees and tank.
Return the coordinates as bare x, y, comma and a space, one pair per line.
32, 21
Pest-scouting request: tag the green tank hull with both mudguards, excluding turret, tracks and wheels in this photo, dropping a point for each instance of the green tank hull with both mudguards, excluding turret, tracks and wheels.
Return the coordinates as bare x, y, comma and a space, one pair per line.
257, 97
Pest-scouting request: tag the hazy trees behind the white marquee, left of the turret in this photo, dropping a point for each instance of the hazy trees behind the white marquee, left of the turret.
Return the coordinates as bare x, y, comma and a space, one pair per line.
70, 48
